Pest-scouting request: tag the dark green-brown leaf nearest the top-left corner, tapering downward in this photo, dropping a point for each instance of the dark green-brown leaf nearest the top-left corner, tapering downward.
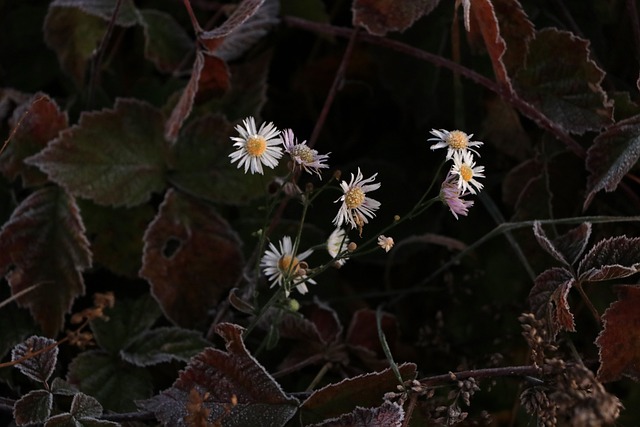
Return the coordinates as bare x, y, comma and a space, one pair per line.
73, 35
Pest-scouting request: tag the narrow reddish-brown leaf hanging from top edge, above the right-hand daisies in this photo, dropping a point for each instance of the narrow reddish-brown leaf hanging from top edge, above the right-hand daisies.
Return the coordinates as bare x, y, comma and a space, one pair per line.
485, 22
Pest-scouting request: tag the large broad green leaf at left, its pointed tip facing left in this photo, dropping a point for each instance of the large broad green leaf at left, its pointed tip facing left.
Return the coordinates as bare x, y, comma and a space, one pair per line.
113, 157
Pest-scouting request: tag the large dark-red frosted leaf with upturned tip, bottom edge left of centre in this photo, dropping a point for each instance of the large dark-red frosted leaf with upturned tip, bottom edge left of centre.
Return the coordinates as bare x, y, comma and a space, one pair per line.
236, 390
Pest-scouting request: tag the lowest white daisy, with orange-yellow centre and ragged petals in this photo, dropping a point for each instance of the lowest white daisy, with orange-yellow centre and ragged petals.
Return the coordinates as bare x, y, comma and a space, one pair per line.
283, 267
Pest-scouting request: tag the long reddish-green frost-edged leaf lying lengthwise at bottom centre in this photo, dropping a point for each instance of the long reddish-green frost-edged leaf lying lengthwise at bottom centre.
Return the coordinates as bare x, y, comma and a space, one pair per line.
364, 390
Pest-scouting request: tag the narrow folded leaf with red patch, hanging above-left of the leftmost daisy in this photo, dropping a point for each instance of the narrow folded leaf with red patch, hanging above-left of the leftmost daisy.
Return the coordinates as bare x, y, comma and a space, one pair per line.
209, 72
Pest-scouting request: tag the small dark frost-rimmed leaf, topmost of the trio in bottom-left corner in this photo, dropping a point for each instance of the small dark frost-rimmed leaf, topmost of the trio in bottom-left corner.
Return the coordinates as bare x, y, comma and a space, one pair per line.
39, 367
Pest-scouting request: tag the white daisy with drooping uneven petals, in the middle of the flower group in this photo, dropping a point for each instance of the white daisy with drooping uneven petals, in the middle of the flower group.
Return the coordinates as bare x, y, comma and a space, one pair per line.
356, 206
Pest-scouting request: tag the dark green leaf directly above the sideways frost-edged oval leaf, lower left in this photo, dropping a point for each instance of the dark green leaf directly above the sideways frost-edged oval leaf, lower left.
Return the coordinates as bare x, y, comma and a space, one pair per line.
127, 320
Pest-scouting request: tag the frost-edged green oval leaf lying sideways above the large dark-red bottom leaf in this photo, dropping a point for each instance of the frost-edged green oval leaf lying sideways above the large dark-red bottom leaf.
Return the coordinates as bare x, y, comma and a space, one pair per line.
164, 344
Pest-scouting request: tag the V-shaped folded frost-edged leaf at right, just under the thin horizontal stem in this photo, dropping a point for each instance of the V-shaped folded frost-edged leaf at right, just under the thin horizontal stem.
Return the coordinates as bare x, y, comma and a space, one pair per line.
566, 248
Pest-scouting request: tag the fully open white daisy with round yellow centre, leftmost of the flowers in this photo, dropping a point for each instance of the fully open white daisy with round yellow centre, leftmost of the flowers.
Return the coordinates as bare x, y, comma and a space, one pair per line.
255, 148
